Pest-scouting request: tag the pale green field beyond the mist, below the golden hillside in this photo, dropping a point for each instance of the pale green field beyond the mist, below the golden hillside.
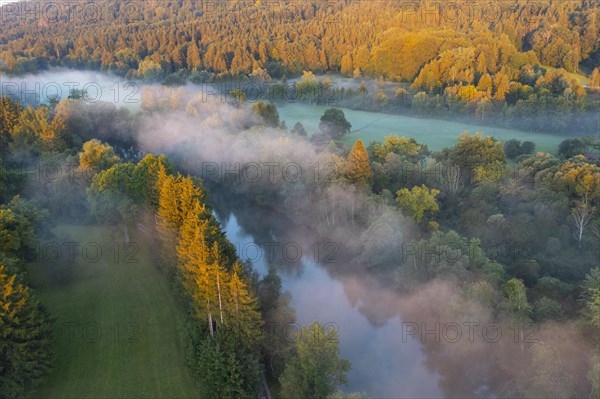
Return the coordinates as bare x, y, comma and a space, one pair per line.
437, 134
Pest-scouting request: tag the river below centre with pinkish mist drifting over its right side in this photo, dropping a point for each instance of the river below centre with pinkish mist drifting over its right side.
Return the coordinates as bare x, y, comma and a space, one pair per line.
375, 322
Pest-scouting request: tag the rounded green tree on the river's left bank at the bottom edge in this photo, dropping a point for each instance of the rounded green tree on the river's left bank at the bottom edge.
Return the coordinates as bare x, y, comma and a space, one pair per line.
317, 369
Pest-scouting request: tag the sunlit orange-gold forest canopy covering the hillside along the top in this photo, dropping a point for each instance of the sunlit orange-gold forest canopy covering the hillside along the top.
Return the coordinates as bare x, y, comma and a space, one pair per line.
395, 39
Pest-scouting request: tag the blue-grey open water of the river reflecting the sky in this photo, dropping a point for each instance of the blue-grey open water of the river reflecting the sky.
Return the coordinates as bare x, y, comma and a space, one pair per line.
384, 363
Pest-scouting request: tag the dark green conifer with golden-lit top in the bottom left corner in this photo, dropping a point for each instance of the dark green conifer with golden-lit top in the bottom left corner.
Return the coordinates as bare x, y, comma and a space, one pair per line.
24, 338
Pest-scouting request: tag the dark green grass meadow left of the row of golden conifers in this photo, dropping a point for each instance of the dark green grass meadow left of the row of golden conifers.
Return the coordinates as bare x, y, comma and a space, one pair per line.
118, 330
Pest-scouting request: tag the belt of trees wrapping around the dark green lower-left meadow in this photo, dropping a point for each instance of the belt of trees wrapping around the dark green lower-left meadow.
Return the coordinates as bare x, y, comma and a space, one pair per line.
229, 308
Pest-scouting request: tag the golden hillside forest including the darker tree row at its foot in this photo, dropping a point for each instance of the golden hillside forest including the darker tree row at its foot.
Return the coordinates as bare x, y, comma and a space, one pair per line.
516, 63
